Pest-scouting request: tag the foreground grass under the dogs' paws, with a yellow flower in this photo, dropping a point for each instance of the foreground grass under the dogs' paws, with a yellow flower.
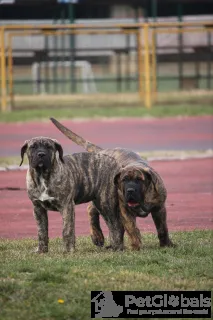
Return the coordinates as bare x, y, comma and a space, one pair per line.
31, 284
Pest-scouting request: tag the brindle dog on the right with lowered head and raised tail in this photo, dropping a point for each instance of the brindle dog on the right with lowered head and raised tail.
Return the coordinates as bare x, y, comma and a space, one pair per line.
140, 190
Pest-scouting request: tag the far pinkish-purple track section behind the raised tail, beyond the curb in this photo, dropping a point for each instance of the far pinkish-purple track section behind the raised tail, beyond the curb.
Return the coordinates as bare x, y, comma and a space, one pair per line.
137, 134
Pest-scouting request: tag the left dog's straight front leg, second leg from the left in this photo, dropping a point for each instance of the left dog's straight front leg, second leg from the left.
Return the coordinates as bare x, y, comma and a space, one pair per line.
68, 215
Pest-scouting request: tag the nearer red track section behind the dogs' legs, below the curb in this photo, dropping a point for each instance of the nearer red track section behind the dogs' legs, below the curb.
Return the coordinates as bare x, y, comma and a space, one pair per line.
189, 204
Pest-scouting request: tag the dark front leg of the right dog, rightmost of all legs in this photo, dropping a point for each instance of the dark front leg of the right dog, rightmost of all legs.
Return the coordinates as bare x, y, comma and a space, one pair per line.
159, 218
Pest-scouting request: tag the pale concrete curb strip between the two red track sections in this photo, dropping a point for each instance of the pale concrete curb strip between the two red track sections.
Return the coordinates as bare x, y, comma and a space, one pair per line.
149, 159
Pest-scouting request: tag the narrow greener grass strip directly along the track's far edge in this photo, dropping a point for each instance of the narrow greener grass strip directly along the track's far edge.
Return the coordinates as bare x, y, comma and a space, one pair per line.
96, 112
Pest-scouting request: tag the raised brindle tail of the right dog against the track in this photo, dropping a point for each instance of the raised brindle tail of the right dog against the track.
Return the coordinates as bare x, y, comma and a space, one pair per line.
88, 146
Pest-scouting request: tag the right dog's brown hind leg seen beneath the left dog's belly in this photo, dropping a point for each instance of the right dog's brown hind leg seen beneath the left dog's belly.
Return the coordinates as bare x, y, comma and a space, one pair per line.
95, 228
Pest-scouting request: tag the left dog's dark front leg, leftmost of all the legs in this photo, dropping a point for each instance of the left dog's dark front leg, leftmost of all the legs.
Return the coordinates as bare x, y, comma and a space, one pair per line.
40, 215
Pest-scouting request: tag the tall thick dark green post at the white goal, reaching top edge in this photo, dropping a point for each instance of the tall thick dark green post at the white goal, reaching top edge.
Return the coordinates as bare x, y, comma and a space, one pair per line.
72, 49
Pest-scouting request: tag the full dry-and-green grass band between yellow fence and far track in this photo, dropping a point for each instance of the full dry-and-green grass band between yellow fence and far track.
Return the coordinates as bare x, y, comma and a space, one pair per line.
41, 107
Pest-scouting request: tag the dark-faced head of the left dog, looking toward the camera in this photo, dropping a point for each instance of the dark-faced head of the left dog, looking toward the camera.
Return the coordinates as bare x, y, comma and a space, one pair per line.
41, 152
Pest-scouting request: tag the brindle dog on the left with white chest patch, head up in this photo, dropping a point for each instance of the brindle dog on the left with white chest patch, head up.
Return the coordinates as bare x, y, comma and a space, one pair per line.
57, 183
